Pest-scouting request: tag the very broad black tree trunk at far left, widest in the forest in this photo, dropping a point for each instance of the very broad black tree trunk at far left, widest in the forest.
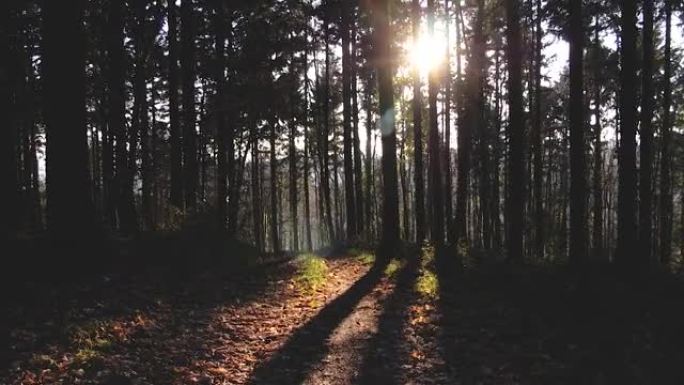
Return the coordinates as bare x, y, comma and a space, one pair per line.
70, 207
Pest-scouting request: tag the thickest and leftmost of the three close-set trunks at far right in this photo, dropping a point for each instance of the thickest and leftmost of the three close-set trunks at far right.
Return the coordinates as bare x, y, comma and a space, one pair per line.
627, 184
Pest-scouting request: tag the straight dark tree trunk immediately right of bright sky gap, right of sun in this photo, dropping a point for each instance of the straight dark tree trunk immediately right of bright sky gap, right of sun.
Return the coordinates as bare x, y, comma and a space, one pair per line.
578, 190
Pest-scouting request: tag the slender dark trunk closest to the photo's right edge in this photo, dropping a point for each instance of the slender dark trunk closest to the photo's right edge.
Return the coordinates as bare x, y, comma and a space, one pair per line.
666, 206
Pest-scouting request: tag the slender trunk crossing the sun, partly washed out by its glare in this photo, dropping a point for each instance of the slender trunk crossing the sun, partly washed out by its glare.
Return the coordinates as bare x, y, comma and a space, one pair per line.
435, 174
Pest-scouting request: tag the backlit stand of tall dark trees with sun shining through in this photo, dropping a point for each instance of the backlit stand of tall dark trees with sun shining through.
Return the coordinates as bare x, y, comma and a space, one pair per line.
297, 124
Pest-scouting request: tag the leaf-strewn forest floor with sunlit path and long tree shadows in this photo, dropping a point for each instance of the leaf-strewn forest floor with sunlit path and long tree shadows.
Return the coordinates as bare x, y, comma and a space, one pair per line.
411, 322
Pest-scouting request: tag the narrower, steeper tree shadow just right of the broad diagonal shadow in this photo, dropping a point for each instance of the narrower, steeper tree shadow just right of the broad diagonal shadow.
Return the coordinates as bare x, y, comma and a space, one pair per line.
385, 355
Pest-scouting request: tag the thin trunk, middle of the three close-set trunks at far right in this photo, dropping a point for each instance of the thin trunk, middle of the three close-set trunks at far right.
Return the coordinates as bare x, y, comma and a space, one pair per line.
646, 136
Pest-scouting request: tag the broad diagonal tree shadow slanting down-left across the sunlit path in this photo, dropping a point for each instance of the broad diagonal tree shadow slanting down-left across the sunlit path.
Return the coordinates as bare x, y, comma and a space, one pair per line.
308, 345
